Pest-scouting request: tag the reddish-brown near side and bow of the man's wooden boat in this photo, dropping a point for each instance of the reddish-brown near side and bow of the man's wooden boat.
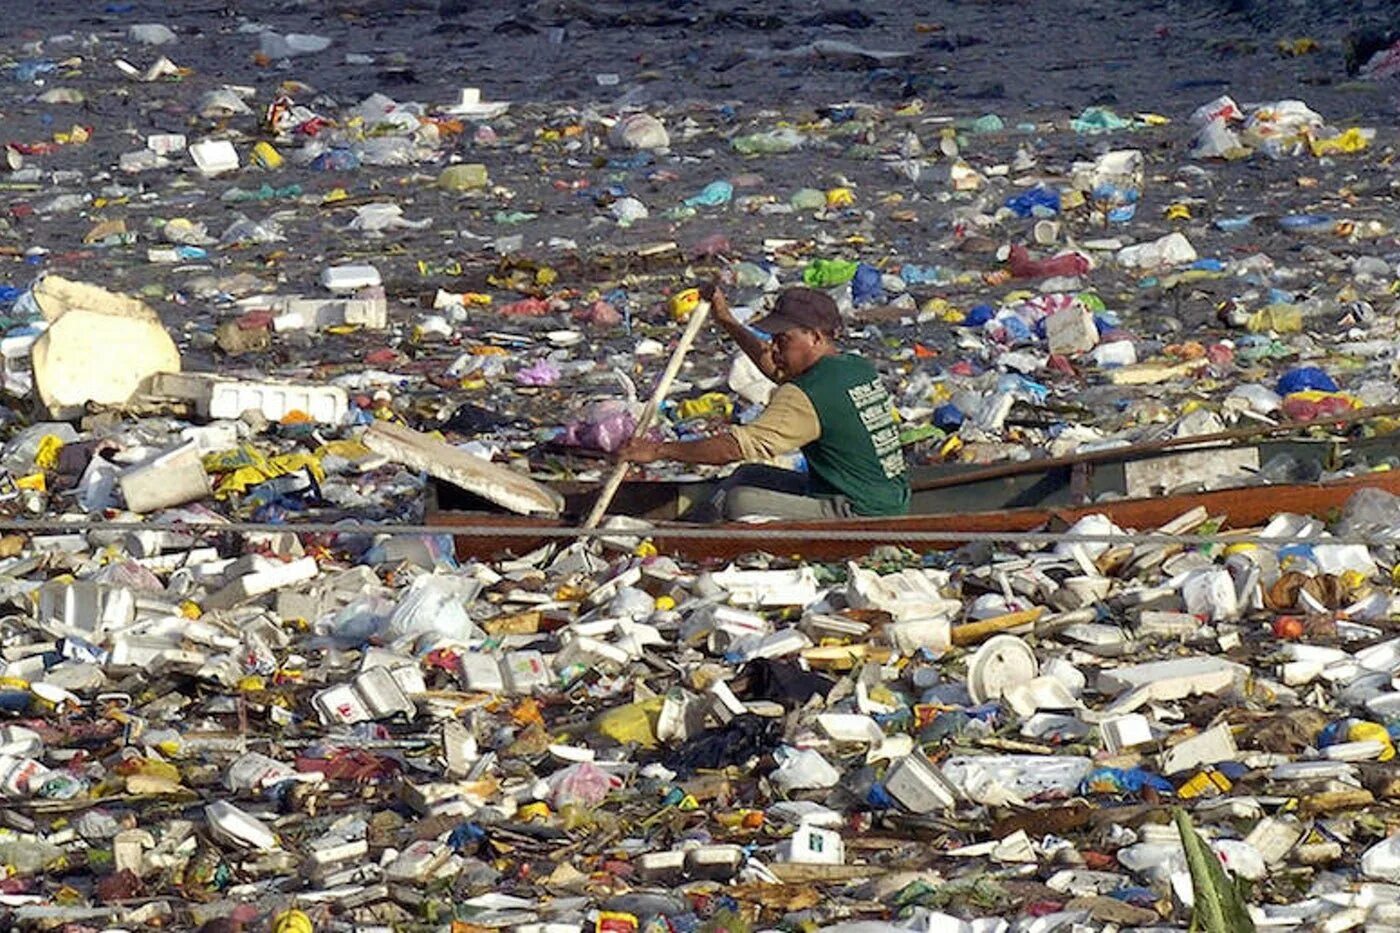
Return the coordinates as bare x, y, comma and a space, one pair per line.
482, 534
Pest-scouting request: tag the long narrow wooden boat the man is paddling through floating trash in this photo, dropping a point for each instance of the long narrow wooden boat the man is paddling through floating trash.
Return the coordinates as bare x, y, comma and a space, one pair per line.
1140, 487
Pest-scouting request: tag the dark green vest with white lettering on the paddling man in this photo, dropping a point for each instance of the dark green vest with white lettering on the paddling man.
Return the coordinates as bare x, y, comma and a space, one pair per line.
859, 453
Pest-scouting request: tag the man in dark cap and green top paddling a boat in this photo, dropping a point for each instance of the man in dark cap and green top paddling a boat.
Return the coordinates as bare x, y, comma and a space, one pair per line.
831, 406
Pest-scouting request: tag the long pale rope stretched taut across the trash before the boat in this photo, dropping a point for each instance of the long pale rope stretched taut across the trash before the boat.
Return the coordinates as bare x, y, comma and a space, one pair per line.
758, 534
